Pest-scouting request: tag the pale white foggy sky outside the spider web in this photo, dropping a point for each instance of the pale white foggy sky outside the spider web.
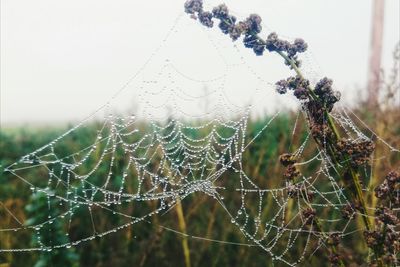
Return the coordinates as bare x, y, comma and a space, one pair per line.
61, 60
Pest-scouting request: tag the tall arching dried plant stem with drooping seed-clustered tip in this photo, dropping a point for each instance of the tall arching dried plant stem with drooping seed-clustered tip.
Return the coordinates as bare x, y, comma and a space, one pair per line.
345, 169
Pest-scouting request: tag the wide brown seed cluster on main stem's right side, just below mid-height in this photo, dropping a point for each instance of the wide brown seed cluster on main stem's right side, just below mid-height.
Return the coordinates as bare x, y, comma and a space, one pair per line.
358, 152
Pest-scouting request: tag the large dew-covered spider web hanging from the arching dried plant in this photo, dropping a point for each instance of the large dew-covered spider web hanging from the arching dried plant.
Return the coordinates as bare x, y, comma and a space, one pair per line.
180, 129
